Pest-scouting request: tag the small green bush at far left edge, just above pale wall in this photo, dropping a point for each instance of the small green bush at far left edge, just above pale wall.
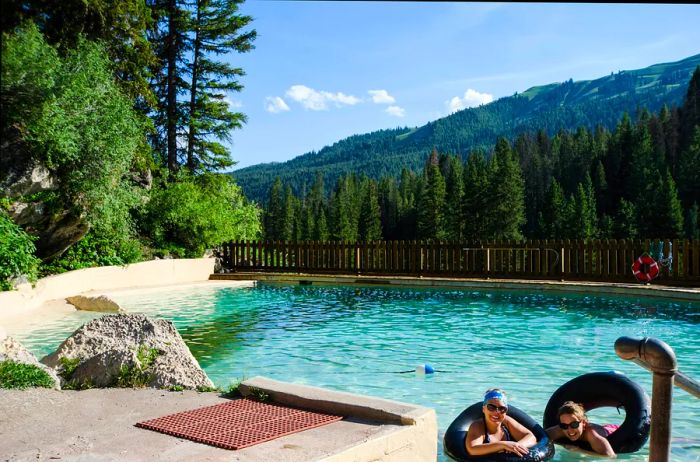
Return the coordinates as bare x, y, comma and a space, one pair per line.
16, 253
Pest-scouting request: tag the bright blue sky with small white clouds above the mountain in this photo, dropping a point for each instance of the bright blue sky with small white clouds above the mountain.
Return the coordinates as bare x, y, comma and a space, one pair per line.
322, 71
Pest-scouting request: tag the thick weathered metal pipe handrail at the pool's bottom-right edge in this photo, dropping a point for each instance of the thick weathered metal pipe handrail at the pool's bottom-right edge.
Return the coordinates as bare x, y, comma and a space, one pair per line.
659, 358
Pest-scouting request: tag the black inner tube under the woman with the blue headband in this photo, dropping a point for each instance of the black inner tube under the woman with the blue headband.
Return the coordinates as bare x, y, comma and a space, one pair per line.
454, 442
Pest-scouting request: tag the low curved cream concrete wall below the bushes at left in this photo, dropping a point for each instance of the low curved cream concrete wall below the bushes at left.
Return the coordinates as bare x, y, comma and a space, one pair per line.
150, 273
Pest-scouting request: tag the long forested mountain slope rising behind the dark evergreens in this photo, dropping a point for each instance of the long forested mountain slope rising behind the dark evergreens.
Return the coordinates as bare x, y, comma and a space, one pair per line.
569, 105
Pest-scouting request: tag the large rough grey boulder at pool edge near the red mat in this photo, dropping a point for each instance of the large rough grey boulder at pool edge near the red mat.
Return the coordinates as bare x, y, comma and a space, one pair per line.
115, 348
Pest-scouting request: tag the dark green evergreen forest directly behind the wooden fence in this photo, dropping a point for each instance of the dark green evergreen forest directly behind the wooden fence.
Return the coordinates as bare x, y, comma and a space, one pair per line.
640, 180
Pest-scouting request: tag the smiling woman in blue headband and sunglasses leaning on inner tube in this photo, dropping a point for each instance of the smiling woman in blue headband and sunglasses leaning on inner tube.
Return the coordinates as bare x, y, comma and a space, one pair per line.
498, 432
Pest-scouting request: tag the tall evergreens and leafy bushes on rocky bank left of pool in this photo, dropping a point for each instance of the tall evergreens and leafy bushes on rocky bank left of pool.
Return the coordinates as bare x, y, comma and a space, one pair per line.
114, 132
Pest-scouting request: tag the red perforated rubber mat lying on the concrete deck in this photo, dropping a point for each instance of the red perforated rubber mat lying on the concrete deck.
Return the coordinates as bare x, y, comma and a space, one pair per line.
238, 424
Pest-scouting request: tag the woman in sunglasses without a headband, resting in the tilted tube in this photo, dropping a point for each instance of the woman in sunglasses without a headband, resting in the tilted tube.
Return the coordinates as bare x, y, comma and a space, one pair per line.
574, 425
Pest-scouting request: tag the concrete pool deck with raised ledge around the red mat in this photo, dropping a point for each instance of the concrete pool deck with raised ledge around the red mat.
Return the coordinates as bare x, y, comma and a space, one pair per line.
98, 425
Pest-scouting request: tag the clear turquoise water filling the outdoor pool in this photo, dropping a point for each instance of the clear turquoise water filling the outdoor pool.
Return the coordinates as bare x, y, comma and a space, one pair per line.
360, 339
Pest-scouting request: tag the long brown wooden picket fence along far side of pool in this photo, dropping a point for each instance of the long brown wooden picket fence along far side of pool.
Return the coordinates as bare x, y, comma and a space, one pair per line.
593, 260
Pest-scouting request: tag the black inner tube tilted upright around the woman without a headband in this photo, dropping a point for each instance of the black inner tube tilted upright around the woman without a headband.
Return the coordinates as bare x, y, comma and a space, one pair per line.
600, 389
